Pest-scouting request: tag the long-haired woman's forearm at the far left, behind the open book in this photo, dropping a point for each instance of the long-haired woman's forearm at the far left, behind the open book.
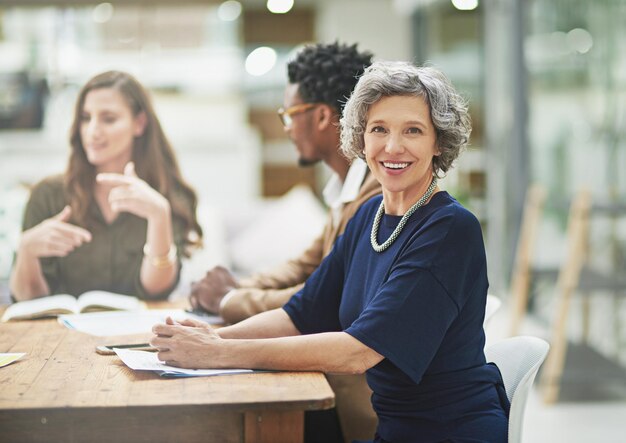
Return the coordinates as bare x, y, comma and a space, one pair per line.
27, 280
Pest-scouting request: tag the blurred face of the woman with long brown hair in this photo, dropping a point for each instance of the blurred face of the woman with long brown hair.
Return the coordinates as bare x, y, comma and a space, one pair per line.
108, 129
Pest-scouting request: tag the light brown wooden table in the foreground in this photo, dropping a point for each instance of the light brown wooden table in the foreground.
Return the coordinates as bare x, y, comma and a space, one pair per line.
62, 391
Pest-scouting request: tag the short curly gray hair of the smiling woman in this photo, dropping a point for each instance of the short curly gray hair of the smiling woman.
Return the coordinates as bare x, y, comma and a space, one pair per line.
448, 110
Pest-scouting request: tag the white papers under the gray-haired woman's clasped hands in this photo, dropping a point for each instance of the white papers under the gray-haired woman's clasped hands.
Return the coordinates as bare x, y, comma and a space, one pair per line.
148, 361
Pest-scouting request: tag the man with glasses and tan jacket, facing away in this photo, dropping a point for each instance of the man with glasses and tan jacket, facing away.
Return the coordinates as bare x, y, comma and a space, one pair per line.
321, 79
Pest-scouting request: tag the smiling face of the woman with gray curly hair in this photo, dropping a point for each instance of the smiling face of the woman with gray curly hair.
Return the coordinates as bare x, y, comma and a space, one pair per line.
400, 143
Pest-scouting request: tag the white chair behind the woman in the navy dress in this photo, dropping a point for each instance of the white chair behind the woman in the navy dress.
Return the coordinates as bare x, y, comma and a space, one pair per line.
518, 359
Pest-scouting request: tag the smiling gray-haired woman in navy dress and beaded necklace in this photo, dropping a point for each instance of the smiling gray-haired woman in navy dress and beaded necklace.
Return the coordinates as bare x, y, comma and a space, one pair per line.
402, 295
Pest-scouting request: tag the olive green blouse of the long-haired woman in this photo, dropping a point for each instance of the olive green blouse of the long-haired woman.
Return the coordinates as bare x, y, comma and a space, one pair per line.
110, 262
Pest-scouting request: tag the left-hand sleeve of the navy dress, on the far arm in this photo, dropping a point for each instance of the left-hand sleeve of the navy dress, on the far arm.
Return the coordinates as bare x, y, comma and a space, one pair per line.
315, 308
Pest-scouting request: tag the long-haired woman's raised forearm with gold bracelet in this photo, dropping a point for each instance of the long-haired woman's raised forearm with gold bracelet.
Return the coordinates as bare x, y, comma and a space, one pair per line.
158, 272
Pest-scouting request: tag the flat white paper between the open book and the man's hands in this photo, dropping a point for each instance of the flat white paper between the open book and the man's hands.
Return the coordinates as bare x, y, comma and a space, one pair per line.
121, 322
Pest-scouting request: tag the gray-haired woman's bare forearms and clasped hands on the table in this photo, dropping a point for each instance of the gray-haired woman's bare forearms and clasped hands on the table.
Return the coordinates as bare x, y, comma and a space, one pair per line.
272, 342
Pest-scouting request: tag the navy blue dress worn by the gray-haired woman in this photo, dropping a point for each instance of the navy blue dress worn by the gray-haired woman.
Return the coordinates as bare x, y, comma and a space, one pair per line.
420, 304
